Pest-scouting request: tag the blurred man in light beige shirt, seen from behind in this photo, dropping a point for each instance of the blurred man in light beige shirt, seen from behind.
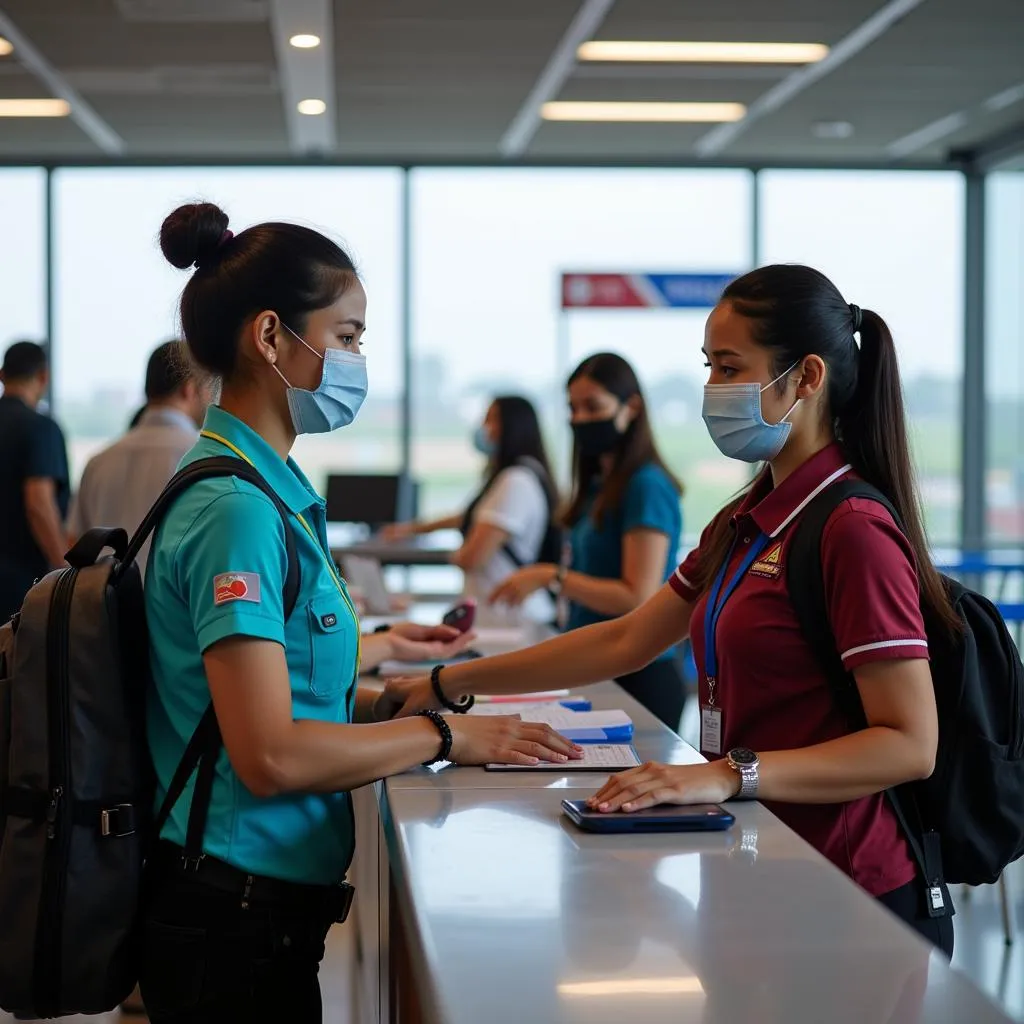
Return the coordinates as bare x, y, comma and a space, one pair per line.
120, 484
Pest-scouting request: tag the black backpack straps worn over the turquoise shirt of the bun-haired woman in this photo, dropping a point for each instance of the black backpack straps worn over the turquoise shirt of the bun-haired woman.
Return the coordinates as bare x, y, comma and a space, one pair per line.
205, 744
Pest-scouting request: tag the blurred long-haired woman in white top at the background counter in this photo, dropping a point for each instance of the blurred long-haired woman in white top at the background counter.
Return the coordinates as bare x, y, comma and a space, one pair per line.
510, 524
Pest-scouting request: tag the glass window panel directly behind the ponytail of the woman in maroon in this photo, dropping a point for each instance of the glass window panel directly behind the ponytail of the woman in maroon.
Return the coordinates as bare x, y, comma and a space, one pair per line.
893, 242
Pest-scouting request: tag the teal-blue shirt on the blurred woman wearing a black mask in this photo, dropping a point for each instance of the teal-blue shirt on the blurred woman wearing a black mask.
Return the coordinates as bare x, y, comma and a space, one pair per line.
651, 502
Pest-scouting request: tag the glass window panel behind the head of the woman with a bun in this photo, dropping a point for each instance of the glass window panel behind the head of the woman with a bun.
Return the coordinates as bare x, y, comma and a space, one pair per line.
117, 297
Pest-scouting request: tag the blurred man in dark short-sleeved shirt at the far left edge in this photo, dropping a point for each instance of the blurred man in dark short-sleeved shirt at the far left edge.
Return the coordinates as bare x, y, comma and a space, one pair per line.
34, 479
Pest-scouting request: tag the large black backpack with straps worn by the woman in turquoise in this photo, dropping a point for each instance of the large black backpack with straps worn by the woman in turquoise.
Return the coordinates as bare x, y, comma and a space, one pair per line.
76, 779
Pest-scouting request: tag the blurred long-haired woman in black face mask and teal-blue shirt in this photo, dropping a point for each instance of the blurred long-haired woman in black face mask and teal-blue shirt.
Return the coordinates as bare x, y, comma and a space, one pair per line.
625, 520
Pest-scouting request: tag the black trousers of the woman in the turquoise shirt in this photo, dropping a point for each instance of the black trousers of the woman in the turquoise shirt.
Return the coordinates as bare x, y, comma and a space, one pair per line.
208, 960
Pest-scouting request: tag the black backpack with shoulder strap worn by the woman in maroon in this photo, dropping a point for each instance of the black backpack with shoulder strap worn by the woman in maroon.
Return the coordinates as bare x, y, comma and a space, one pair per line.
966, 823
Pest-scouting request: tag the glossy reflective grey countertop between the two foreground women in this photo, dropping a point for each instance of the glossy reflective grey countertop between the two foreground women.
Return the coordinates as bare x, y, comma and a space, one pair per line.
516, 917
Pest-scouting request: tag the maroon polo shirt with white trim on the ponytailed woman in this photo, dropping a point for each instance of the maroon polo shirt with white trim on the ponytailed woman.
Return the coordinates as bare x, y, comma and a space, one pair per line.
773, 693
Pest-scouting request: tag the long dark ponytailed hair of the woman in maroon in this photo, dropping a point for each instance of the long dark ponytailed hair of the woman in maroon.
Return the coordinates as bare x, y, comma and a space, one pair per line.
796, 313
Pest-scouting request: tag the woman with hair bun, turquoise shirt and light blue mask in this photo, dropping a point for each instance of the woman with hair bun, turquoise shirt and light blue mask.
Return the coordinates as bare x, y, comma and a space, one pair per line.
278, 314
